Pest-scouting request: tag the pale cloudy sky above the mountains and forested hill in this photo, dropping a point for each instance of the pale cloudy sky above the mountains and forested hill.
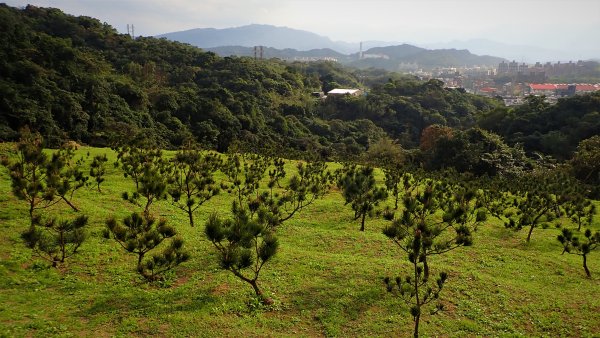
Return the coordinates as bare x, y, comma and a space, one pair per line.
572, 25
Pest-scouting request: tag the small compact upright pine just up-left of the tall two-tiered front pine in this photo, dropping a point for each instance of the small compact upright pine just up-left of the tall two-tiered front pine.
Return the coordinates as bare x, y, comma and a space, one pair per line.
361, 191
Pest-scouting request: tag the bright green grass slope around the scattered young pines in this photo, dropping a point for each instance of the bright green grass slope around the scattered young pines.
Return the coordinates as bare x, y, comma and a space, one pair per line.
326, 279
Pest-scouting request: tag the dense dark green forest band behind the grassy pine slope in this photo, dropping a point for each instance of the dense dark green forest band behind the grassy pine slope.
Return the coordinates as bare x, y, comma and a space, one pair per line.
75, 78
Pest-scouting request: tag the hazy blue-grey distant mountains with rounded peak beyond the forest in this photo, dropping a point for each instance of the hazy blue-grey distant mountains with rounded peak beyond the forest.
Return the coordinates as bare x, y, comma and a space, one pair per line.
293, 44
